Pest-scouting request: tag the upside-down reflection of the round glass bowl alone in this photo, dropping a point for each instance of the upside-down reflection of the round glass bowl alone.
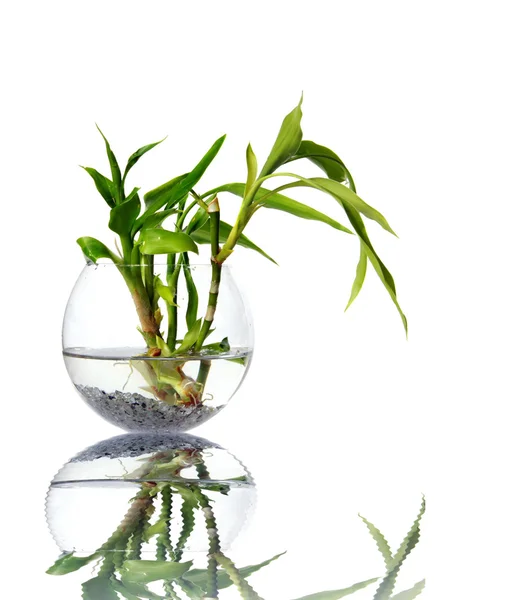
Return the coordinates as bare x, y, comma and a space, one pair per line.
148, 490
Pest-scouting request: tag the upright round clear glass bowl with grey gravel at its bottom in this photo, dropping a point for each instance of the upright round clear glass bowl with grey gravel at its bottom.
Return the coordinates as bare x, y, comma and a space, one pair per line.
148, 348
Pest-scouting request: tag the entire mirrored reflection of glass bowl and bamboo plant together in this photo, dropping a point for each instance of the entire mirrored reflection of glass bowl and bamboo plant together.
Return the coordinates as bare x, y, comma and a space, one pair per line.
151, 516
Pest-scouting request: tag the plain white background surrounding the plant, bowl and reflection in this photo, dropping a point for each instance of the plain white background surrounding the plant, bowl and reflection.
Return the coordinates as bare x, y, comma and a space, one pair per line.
339, 413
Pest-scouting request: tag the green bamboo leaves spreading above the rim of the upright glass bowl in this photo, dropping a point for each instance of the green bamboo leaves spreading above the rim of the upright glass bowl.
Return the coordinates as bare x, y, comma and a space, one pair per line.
140, 222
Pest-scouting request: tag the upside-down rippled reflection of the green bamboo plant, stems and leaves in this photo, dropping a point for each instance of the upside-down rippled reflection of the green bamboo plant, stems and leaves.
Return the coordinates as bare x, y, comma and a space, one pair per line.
123, 573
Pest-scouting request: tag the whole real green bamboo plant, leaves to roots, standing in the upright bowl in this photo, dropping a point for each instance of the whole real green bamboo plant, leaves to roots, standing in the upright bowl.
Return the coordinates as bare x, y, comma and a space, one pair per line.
139, 225
